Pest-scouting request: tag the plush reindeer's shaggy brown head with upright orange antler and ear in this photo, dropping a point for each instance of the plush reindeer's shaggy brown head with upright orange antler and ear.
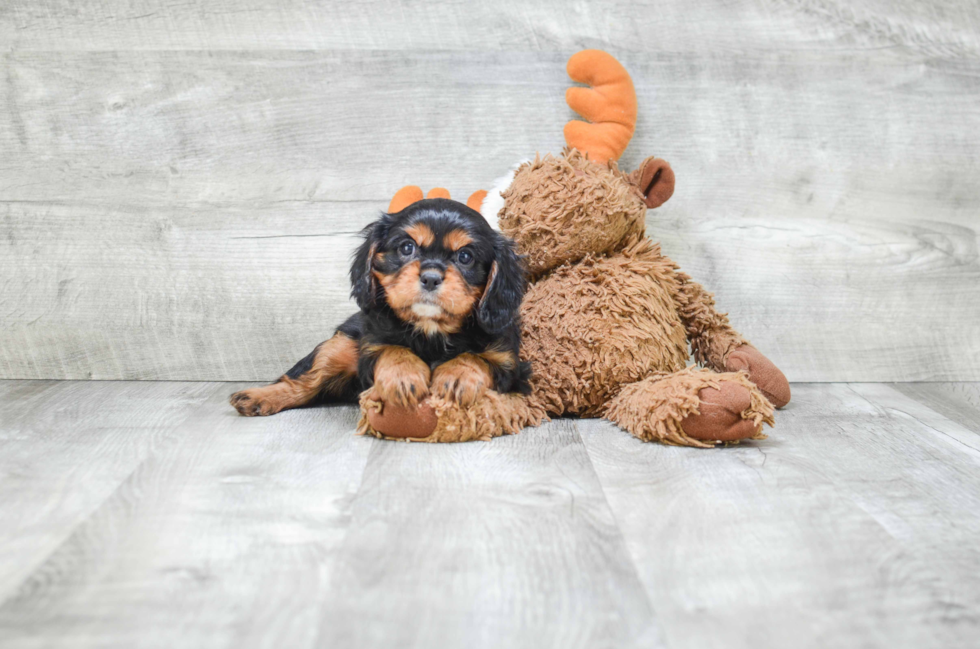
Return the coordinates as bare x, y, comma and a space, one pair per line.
561, 208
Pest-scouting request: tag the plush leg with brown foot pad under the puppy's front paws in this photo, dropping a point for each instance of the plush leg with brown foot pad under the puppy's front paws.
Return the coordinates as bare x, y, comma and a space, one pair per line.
442, 420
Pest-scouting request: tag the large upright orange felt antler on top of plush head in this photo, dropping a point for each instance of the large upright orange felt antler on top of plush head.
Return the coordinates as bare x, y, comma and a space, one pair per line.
610, 106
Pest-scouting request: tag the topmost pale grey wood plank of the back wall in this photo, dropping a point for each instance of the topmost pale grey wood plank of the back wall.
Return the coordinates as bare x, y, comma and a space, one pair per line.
946, 27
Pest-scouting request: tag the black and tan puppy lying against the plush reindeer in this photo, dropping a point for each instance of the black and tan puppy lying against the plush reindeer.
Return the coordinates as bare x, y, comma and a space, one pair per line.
439, 293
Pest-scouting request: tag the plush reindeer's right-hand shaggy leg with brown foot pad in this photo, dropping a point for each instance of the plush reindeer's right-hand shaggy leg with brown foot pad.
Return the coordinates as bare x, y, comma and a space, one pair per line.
692, 407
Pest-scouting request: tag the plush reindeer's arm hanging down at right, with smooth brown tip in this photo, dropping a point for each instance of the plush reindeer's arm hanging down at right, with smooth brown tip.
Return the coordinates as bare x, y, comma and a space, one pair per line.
718, 346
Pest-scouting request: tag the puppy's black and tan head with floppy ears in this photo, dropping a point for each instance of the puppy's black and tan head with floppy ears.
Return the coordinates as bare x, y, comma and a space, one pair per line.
435, 263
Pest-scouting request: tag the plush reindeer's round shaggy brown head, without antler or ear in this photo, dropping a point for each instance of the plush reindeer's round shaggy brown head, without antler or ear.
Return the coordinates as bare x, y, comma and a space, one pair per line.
550, 209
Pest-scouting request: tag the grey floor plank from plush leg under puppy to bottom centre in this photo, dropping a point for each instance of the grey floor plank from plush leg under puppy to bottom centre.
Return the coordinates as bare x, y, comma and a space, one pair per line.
507, 544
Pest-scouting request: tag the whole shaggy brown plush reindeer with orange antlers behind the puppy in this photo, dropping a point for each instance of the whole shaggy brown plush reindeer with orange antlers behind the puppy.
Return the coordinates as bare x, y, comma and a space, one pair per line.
608, 319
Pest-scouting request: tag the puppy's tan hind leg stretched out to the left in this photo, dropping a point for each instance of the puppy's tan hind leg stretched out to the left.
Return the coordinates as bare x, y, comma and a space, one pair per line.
334, 365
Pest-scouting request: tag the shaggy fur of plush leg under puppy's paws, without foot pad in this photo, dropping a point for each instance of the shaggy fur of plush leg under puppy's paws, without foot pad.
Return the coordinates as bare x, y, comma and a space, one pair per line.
493, 415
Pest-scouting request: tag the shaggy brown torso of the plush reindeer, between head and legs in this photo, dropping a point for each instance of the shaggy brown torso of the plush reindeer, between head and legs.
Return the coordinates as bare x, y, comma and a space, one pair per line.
591, 327
